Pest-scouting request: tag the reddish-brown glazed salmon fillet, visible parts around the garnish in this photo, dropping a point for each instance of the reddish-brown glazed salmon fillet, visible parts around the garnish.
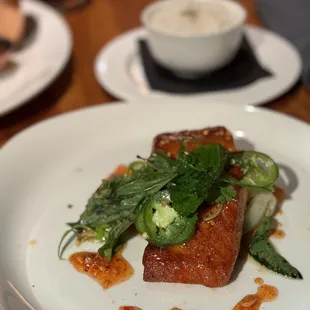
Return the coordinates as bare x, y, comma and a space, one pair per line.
208, 258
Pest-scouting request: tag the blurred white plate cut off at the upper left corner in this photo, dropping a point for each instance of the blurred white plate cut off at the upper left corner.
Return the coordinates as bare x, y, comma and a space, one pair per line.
41, 62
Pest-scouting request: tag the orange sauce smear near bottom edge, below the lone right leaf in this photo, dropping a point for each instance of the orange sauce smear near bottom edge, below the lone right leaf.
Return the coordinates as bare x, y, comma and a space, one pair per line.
265, 293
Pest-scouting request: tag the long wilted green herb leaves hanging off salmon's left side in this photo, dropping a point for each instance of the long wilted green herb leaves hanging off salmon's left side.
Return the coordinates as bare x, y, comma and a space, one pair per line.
114, 206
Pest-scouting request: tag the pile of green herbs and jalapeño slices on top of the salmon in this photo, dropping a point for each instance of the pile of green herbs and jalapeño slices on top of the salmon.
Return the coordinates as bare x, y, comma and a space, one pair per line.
190, 179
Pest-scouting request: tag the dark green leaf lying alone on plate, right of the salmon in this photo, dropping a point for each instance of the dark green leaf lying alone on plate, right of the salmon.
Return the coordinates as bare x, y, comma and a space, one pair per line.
264, 253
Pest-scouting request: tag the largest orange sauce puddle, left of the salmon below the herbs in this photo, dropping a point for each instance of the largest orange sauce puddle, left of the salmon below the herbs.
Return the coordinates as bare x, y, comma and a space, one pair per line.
105, 273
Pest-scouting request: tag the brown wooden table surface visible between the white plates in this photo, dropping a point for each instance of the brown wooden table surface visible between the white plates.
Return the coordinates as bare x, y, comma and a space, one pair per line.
93, 26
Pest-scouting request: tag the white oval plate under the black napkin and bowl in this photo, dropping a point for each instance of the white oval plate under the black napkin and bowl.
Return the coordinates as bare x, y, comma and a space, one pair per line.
118, 69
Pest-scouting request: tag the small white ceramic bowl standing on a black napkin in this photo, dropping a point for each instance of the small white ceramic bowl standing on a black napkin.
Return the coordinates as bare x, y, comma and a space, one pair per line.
194, 54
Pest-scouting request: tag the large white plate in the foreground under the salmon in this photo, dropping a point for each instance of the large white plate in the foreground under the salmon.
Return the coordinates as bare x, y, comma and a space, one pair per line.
62, 161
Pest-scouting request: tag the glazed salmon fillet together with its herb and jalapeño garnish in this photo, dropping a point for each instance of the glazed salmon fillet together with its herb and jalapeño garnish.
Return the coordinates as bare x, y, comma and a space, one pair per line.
192, 200
